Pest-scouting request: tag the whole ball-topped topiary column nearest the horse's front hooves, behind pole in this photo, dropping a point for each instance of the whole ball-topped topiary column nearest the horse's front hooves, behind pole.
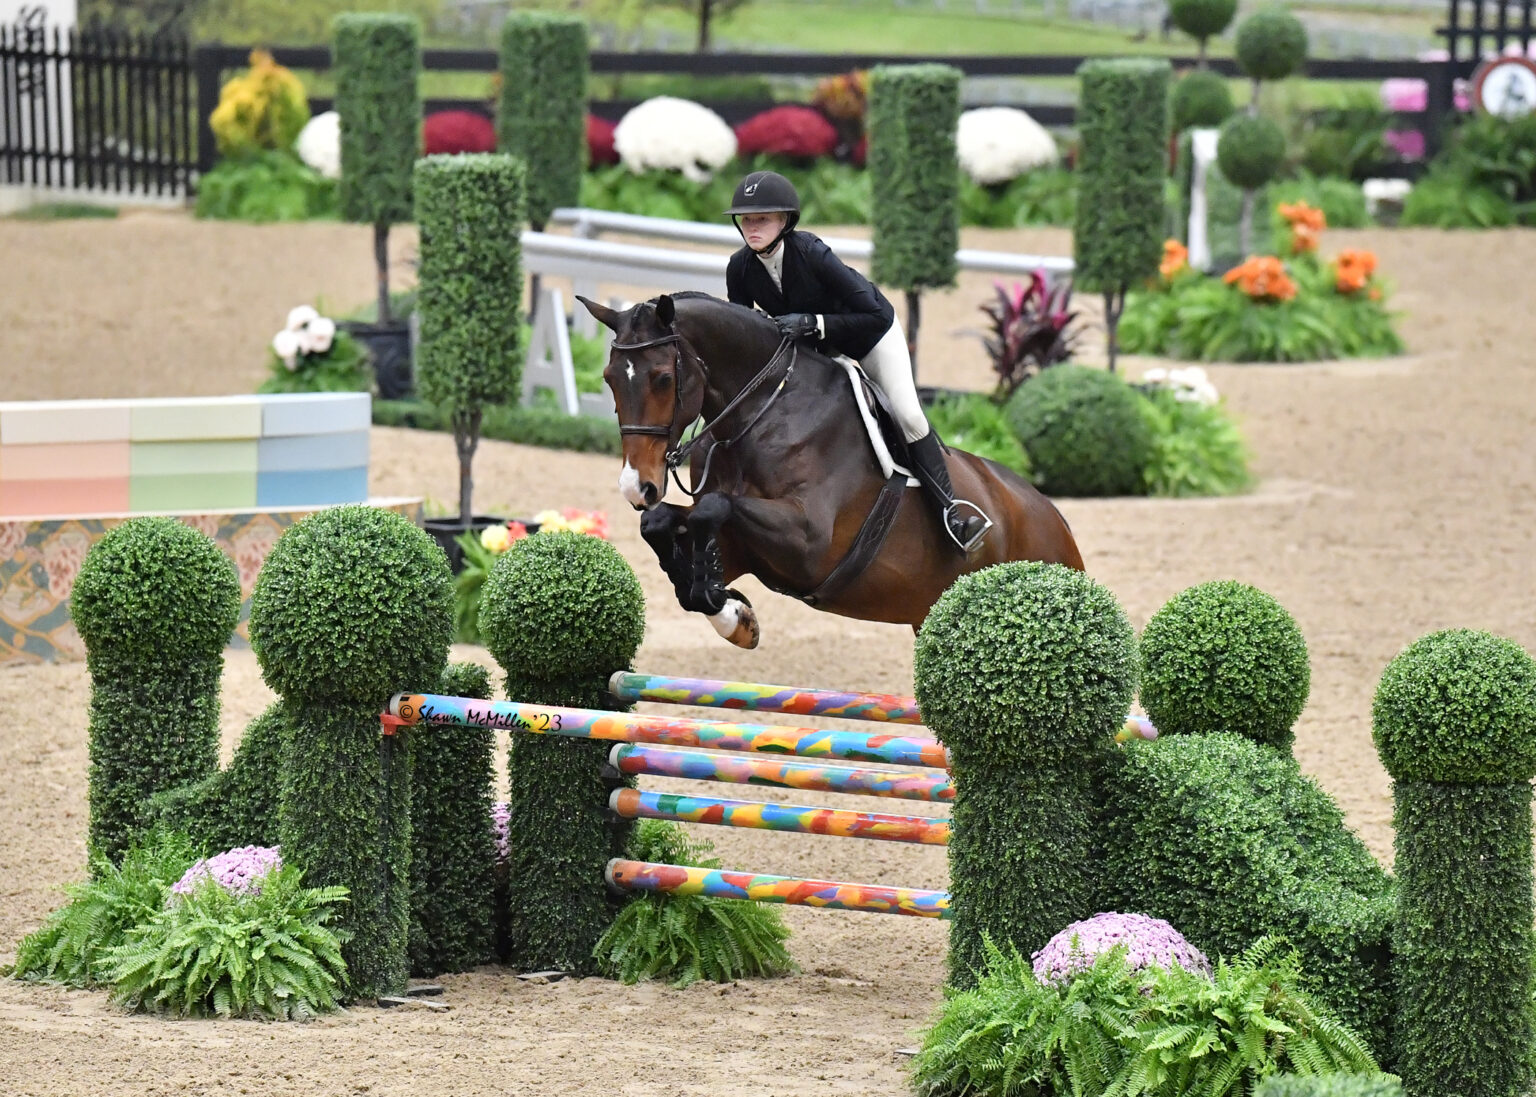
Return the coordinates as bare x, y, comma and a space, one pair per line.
561, 612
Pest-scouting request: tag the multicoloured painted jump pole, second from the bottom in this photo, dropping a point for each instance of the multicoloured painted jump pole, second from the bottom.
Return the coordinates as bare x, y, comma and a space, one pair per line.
836, 823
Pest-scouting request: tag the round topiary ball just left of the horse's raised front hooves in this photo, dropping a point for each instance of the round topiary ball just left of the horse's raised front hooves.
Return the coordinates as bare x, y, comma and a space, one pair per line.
563, 606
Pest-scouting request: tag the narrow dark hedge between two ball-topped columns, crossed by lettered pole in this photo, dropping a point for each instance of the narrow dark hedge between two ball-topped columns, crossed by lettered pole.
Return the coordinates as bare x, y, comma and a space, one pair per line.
452, 846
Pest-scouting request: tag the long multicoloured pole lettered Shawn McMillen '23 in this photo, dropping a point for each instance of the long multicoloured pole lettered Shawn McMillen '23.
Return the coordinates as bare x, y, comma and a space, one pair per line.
412, 709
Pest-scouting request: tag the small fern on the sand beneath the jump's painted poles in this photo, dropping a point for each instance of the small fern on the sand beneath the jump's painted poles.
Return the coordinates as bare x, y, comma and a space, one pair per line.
690, 938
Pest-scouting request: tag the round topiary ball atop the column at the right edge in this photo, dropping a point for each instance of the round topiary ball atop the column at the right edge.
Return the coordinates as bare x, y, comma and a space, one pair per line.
1458, 708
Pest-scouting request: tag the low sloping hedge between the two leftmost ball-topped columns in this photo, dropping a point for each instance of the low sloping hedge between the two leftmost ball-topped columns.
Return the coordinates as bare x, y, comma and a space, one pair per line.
237, 806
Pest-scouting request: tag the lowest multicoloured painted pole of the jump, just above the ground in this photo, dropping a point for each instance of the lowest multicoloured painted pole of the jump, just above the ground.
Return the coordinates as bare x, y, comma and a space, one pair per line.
684, 881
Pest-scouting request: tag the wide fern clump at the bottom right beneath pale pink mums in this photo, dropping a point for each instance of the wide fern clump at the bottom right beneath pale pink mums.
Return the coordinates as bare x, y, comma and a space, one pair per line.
1114, 1032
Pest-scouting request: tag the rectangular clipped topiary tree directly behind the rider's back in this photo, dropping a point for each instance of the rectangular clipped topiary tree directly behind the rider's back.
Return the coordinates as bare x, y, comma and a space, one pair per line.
915, 179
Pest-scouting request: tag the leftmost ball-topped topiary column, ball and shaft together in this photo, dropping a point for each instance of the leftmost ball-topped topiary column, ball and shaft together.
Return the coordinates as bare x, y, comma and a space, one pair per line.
156, 603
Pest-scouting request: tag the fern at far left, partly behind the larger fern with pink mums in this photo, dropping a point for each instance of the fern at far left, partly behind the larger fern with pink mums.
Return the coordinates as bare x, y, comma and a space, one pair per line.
73, 944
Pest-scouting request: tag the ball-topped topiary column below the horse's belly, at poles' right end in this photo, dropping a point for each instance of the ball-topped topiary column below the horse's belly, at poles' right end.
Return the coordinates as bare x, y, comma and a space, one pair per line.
1025, 672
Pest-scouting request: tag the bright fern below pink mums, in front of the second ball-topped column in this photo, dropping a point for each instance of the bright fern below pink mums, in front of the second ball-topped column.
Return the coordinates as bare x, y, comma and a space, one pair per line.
214, 953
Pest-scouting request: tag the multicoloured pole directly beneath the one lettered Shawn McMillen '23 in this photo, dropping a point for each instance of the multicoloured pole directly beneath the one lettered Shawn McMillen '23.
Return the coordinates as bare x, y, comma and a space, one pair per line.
637, 760
